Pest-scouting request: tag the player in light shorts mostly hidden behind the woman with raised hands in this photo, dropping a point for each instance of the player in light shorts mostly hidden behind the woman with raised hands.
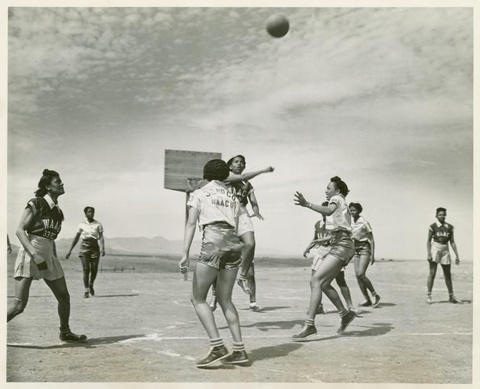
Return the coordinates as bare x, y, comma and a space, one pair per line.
317, 250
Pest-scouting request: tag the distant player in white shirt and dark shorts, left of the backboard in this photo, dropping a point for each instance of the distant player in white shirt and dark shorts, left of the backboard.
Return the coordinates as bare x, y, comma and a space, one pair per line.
91, 232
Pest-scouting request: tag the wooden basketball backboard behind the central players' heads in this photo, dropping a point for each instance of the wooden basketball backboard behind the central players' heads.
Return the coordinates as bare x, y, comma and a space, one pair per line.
182, 165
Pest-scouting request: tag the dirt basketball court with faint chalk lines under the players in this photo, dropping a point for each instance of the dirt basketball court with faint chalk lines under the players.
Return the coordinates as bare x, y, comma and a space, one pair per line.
142, 328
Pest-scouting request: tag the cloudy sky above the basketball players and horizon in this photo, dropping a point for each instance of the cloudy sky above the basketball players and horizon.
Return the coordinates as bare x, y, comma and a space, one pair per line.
382, 97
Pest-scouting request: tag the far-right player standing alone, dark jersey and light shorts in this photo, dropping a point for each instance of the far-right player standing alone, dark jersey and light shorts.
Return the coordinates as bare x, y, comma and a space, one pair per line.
441, 233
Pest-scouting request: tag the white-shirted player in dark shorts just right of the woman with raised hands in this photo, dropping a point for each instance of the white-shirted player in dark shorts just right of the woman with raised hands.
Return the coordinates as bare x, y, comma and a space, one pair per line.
364, 254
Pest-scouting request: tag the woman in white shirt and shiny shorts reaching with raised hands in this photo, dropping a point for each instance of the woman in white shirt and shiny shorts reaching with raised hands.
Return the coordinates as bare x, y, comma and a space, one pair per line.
340, 254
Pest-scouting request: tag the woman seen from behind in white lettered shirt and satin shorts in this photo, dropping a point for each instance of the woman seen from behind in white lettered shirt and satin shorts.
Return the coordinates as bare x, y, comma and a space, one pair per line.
216, 210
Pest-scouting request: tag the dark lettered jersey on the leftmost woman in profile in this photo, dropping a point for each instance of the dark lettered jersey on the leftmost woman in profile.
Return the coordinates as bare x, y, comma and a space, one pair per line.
46, 221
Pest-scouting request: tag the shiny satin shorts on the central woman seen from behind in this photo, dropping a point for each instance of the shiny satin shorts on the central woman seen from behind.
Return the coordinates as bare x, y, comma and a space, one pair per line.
221, 247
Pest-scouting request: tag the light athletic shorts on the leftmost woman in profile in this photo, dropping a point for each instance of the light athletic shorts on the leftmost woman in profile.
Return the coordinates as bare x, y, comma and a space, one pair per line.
25, 267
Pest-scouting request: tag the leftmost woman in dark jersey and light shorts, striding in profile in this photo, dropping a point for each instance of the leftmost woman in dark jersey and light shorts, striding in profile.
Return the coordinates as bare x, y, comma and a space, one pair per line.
39, 226
